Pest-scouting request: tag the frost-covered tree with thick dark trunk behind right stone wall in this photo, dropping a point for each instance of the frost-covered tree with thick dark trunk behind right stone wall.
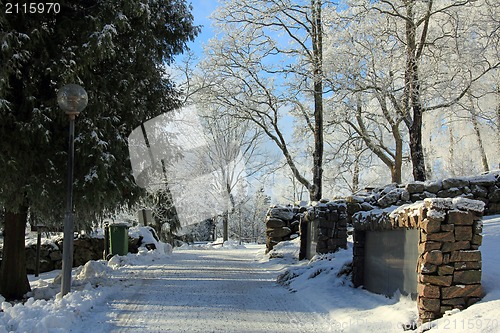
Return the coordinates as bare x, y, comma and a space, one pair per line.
415, 57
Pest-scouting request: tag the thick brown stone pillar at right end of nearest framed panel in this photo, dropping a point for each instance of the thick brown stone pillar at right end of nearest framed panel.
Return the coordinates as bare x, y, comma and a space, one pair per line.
449, 266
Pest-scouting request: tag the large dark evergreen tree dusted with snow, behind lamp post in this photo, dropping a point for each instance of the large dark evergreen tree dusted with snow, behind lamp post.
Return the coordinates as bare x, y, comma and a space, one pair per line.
117, 51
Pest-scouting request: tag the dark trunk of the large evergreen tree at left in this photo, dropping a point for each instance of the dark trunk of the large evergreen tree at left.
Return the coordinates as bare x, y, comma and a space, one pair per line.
14, 282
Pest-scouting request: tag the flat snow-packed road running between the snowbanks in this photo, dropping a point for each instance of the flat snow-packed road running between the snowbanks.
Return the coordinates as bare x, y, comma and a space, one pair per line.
204, 291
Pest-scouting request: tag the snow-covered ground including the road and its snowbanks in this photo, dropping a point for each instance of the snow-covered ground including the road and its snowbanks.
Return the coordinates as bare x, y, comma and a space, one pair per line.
209, 288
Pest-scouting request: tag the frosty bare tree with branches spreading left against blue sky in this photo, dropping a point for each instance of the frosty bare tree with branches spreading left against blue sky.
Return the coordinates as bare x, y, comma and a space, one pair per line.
267, 62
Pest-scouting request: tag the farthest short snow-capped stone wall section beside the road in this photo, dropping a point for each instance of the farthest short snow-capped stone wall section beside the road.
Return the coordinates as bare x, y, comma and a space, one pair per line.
282, 224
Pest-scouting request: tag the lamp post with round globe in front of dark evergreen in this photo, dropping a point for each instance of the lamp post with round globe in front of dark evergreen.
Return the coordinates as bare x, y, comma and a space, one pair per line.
72, 99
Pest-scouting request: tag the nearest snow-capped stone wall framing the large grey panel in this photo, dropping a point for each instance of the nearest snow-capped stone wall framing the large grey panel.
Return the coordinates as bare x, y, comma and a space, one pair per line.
449, 264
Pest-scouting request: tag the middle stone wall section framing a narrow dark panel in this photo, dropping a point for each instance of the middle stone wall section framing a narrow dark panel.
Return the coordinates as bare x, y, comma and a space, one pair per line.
326, 225
